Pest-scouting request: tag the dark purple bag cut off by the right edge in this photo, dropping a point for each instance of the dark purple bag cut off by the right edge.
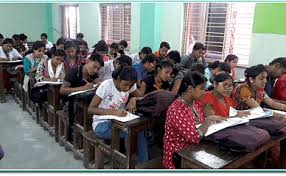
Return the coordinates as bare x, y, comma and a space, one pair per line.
275, 126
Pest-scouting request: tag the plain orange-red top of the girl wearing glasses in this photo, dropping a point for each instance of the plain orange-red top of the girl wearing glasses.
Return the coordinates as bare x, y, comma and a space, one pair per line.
209, 100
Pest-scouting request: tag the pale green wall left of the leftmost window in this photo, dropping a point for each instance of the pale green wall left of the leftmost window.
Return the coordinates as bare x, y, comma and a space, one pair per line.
31, 19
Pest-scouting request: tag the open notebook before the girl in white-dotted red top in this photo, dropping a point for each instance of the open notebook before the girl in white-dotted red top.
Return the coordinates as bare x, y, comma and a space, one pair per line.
225, 124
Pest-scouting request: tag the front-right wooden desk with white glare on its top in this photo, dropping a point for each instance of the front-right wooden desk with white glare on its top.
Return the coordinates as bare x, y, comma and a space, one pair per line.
208, 155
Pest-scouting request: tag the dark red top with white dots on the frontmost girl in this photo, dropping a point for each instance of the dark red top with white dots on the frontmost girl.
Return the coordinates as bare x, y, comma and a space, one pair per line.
180, 129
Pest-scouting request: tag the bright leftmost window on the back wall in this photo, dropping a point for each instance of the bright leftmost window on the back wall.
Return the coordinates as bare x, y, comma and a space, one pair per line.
70, 20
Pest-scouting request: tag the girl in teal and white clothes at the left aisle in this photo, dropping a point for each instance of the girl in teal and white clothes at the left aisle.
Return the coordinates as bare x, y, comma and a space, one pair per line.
31, 62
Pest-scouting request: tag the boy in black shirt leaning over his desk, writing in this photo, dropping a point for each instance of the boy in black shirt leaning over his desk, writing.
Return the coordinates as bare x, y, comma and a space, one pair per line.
78, 79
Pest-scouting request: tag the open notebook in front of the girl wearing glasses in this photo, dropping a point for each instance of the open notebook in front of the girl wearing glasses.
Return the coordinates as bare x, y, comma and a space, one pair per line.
255, 113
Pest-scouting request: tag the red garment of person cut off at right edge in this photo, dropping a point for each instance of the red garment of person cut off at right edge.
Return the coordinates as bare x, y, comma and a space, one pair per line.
280, 89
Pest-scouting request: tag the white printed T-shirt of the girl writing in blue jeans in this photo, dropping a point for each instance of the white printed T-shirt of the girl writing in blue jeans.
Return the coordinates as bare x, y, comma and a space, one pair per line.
111, 98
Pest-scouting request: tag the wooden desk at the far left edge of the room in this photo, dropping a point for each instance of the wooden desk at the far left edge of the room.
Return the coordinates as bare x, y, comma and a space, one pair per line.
4, 65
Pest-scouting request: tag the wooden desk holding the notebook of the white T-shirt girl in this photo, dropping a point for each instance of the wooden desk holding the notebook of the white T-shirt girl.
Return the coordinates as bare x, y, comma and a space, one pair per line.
132, 128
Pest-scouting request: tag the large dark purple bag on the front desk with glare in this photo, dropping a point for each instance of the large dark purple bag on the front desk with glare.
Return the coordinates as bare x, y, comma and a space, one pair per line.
241, 138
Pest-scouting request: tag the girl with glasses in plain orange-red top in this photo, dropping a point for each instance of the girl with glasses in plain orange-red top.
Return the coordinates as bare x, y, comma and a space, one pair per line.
218, 102
